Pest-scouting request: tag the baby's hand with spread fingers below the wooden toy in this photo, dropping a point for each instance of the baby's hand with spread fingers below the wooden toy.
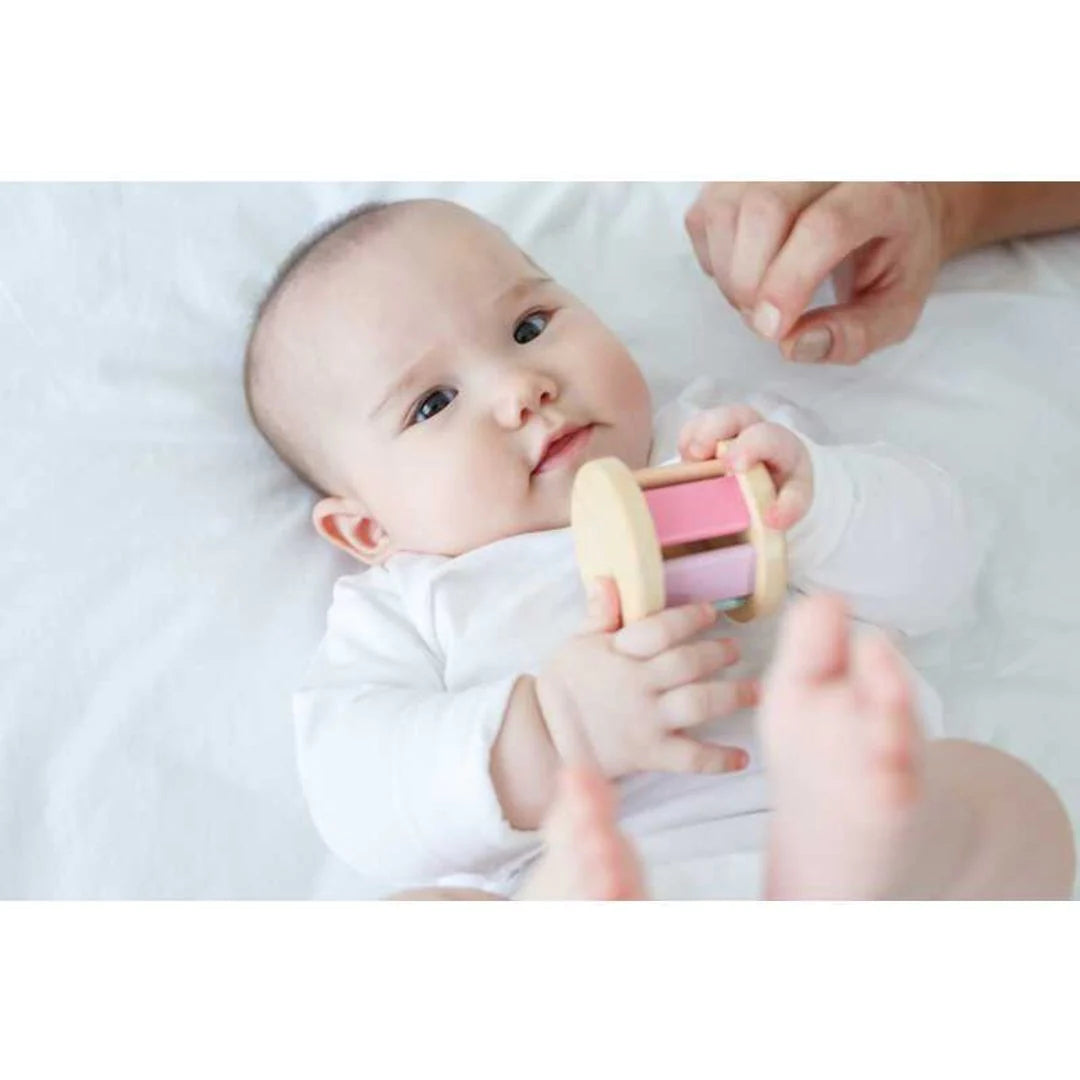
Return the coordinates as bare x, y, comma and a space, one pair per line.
620, 699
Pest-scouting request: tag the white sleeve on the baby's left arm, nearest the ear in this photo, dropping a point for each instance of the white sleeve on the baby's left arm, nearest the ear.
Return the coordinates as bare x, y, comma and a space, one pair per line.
396, 769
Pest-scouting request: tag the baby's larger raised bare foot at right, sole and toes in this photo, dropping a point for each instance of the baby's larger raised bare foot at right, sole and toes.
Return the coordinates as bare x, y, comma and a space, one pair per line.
843, 751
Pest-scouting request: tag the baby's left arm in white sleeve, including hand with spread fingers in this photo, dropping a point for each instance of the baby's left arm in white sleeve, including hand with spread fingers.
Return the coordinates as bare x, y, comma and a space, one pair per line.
411, 784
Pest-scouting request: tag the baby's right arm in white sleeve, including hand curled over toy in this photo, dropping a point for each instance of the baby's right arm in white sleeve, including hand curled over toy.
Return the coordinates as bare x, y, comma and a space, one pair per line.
874, 523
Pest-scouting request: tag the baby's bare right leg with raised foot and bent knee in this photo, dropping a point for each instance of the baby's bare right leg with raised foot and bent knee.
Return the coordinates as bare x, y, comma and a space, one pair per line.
867, 808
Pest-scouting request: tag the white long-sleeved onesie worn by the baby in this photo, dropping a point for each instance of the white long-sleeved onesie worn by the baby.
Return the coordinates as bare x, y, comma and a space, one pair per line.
406, 697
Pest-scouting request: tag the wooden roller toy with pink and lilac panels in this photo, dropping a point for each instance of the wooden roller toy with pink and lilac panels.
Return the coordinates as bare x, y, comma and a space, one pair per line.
679, 535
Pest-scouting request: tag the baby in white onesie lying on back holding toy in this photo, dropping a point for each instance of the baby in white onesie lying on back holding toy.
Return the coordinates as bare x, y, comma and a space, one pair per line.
440, 391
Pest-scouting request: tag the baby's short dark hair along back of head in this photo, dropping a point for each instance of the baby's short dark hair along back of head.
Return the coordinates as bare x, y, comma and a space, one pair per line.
285, 445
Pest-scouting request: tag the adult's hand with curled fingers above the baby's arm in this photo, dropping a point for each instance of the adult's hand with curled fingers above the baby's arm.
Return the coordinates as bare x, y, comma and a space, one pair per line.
772, 246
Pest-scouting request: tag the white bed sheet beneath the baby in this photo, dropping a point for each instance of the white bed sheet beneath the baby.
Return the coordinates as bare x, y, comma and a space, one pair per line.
163, 589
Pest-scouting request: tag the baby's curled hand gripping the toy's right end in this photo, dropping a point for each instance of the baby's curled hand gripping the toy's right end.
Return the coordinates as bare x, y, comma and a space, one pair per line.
755, 441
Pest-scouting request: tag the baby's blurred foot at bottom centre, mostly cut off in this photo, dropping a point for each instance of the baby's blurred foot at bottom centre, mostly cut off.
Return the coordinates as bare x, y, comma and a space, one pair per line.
586, 857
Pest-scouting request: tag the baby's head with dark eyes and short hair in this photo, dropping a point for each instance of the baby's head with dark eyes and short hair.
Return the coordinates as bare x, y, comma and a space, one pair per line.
439, 390
